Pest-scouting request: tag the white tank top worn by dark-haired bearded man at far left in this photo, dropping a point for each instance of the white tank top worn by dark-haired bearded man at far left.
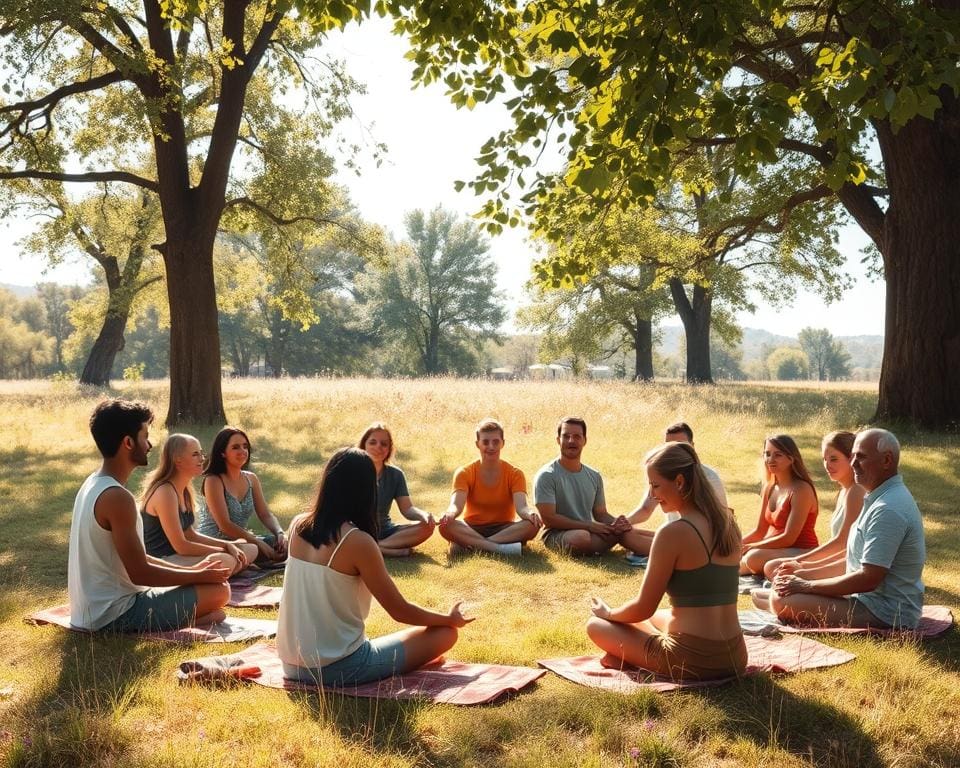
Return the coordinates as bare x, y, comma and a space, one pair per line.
100, 589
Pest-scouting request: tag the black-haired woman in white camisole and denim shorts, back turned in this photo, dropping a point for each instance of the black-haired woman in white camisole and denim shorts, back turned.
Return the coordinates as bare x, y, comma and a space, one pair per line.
334, 568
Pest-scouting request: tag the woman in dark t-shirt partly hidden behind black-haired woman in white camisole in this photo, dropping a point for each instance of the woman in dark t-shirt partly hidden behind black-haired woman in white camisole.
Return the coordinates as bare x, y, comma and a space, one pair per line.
394, 540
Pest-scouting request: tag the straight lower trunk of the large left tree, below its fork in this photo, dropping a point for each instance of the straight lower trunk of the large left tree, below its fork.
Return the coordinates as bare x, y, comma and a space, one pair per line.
195, 392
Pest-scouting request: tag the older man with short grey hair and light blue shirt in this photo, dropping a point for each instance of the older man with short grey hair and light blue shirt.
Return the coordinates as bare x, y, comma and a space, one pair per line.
886, 551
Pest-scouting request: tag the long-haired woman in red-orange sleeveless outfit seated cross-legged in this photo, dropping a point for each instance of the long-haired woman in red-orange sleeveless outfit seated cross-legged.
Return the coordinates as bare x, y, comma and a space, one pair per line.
788, 512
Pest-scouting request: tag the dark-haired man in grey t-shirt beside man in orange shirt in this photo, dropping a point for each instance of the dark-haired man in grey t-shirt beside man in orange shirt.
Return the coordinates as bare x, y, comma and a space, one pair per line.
569, 496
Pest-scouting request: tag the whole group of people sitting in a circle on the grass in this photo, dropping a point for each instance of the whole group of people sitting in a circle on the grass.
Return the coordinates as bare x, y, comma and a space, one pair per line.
163, 563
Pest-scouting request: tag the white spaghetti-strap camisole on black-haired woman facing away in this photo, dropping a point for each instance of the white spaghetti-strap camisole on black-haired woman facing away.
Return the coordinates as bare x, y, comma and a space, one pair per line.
322, 612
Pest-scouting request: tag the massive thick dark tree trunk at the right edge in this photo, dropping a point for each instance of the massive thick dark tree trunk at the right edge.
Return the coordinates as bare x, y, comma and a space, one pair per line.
920, 377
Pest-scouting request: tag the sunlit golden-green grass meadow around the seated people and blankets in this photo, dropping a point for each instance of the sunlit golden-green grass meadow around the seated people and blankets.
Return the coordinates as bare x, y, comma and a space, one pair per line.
73, 700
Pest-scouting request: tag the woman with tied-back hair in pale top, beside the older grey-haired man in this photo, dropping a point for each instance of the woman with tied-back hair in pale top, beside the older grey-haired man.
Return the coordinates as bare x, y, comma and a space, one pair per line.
830, 558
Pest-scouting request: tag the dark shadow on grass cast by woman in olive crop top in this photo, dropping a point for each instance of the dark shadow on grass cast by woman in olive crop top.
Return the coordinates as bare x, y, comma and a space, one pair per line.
759, 710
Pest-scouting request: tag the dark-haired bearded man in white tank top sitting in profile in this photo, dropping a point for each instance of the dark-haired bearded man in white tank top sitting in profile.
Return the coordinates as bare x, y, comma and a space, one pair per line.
111, 580
